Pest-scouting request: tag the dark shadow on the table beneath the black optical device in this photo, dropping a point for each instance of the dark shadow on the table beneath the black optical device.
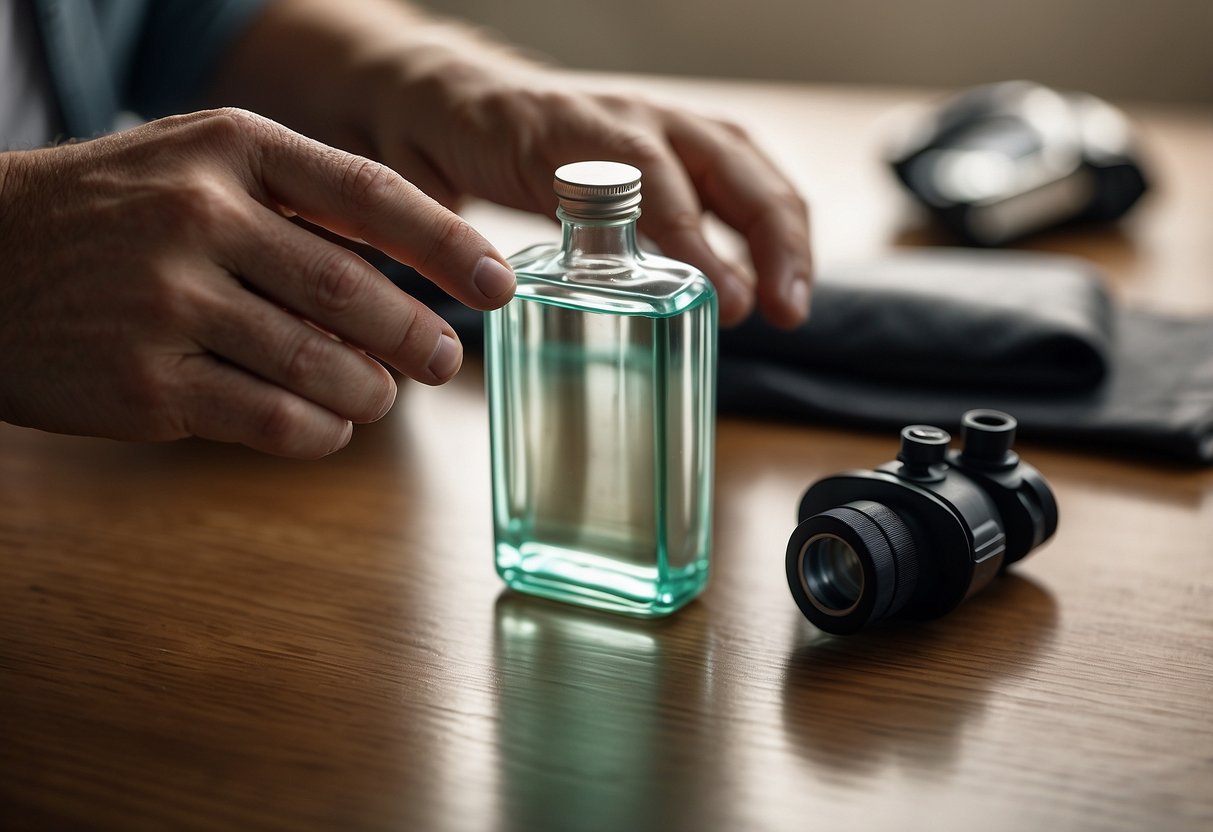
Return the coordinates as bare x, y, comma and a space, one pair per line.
903, 697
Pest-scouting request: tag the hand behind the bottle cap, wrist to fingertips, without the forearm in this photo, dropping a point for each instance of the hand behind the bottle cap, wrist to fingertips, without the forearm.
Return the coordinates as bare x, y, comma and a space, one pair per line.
499, 132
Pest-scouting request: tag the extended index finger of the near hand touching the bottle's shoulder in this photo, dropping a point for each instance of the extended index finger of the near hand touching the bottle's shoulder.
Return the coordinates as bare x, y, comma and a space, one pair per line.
365, 201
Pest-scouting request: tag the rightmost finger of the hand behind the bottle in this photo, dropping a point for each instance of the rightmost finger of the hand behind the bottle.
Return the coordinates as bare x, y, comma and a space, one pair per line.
747, 192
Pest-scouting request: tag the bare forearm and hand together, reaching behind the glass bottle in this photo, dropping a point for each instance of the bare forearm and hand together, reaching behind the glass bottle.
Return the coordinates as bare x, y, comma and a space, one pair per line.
458, 115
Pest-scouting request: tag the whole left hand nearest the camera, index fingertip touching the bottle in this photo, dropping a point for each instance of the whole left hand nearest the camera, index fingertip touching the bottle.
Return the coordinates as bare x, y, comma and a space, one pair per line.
155, 287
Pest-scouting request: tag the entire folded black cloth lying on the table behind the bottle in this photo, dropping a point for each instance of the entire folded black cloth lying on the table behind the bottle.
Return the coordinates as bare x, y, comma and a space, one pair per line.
924, 335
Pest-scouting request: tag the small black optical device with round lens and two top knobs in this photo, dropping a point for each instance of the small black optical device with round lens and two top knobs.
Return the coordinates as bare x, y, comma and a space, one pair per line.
916, 537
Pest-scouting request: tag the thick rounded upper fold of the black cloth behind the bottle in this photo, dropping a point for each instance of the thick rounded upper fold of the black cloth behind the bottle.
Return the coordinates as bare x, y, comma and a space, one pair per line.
954, 318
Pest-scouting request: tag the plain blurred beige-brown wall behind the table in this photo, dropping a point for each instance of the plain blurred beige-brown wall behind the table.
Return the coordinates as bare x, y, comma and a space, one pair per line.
1143, 50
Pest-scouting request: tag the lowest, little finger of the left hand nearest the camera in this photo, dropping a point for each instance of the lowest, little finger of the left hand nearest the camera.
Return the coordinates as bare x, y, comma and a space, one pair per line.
221, 402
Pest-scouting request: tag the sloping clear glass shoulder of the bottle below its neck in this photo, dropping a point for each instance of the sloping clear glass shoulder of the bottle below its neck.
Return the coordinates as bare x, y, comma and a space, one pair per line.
646, 284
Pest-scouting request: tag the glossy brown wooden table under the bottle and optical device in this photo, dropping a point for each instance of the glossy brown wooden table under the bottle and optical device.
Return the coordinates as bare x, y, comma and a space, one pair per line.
193, 636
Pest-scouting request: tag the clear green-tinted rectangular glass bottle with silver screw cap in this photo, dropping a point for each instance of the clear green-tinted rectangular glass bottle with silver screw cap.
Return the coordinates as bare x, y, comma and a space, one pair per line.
602, 402
